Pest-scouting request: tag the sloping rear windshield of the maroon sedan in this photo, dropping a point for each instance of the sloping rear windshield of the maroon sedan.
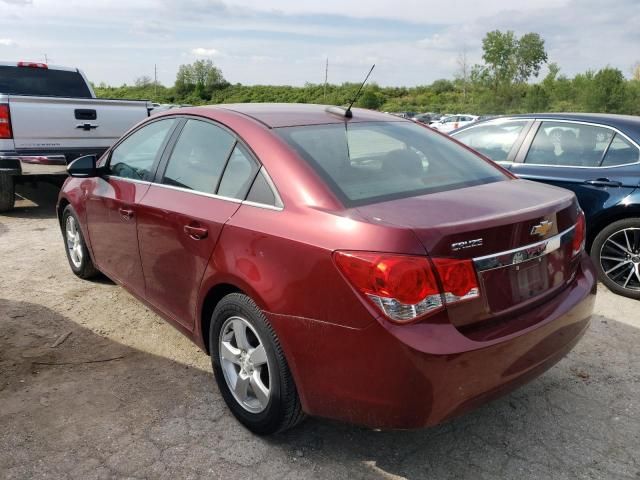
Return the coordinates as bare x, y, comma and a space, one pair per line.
377, 161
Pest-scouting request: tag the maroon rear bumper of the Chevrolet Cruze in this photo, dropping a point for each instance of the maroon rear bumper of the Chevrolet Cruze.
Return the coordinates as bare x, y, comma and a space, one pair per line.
419, 375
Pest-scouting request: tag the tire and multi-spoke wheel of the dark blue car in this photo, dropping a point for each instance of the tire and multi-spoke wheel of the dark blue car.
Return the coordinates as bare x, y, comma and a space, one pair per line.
606, 256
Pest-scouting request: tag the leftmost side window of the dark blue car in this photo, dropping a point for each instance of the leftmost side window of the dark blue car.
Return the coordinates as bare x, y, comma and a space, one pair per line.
493, 140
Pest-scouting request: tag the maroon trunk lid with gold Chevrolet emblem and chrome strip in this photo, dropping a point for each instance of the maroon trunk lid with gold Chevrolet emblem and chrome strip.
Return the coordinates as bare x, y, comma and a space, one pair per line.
511, 229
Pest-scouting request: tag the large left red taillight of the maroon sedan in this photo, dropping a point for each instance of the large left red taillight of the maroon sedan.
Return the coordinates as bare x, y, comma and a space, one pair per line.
405, 287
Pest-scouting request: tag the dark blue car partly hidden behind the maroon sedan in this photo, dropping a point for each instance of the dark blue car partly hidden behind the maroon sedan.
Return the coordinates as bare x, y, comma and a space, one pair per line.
598, 157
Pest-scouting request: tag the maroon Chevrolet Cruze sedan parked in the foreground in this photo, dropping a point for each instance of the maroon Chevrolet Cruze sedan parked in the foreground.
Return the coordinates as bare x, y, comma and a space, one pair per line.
363, 267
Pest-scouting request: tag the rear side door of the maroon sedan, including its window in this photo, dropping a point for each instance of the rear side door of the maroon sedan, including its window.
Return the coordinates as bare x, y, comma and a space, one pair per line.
199, 186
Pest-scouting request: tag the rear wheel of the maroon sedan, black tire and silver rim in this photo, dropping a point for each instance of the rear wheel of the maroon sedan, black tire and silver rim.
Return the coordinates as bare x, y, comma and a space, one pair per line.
241, 380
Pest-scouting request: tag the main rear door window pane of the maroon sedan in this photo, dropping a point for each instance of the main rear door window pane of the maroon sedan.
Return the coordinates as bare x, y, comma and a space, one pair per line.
199, 157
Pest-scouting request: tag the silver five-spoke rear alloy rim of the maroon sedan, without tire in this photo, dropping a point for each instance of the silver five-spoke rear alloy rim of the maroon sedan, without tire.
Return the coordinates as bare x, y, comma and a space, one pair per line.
245, 364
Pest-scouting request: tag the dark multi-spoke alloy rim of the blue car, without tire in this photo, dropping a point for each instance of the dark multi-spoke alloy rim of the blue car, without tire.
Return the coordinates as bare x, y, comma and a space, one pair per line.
620, 258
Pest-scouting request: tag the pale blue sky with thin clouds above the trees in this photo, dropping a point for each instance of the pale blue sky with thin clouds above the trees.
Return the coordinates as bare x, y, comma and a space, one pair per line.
286, 42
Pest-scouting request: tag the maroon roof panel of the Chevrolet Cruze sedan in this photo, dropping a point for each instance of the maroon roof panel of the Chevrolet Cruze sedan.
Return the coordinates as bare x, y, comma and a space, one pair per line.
275, 115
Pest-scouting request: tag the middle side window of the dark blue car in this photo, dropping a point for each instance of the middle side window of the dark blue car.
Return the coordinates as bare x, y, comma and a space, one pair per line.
569, 144
